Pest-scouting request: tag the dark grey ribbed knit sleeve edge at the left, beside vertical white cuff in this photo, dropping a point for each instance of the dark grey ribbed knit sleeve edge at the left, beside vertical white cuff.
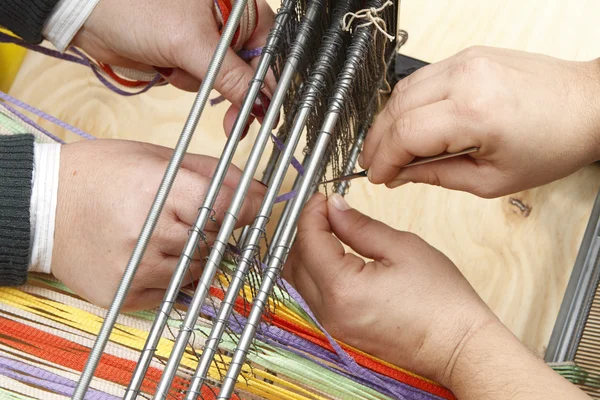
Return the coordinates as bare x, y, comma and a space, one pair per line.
16, 172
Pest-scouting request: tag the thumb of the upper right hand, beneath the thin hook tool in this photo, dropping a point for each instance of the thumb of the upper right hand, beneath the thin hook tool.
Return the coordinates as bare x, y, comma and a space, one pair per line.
460, 173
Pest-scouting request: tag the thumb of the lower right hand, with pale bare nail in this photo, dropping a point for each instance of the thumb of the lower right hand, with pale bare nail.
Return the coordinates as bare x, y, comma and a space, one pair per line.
369, 237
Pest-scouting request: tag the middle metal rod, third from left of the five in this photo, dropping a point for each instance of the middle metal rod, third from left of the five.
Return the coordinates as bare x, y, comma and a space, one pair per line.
228, 225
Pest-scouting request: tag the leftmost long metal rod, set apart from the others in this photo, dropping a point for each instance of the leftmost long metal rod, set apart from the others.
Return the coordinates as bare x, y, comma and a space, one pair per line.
160, 198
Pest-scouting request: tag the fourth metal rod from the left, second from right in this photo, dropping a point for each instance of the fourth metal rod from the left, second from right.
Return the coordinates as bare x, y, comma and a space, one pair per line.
314, 88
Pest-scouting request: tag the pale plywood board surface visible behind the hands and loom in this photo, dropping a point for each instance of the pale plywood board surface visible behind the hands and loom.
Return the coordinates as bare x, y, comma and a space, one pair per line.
518, 261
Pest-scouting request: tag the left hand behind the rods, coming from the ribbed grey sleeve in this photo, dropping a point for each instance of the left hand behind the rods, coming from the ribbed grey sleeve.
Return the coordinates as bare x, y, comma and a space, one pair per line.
106, 188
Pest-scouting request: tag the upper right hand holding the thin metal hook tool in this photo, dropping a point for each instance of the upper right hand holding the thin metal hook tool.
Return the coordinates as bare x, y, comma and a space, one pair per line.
535, 119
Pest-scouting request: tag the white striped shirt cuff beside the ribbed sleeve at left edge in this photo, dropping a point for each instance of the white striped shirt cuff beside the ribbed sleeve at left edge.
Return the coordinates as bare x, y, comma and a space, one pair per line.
43, 205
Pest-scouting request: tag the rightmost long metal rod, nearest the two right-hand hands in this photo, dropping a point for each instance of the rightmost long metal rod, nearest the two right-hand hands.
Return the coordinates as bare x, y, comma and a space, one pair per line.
279, 250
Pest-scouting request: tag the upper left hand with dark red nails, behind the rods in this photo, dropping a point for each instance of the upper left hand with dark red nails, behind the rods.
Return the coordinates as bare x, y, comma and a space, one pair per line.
178, 37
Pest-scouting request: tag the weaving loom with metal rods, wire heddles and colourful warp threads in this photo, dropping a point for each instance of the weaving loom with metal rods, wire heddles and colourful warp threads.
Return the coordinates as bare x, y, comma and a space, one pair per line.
240, 331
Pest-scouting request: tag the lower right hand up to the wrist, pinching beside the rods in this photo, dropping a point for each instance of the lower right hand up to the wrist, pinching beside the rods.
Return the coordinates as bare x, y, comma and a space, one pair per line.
410, 306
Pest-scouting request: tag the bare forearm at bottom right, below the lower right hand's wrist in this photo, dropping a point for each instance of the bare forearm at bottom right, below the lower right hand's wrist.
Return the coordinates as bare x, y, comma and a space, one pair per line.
494, 365
